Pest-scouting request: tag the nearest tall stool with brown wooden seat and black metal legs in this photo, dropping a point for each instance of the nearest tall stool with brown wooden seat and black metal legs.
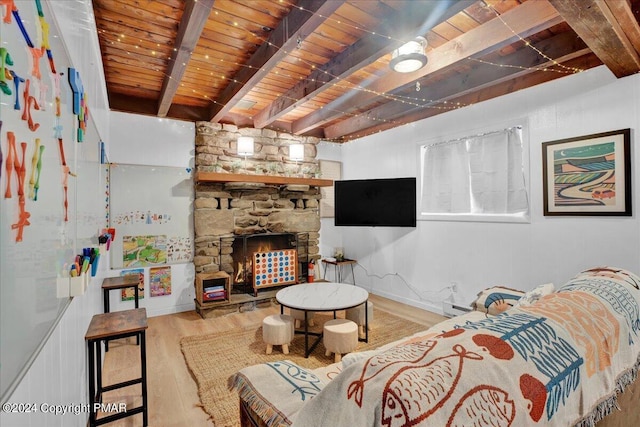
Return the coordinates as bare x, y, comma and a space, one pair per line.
120, 324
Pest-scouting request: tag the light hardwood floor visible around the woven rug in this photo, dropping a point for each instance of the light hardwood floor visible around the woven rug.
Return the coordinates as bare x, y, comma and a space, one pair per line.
172, 392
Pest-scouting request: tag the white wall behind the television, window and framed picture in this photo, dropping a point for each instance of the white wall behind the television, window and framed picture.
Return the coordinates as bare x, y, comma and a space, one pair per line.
413, 265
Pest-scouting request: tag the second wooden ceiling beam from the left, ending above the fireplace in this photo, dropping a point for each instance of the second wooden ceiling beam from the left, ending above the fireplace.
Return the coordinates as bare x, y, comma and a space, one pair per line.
302, 20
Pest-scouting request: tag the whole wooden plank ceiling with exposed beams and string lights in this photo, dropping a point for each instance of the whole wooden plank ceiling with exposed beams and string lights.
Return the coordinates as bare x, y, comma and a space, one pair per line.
311, 67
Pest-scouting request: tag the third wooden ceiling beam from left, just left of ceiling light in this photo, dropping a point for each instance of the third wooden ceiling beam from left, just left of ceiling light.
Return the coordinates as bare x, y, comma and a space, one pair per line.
365, 51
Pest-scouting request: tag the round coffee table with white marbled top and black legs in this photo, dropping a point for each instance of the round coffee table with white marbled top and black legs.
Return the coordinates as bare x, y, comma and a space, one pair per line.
322, 296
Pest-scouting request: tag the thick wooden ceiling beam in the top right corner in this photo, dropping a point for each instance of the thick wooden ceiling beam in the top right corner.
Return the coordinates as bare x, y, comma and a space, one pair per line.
598, 26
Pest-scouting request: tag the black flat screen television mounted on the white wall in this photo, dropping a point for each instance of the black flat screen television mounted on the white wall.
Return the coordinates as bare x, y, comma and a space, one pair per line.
387, 202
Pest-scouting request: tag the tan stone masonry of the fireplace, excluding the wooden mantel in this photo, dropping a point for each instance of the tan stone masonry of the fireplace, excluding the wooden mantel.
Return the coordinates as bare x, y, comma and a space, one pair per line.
225, 210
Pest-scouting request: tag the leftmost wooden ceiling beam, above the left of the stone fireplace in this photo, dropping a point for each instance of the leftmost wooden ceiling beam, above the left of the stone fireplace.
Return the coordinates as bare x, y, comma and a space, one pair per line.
194, 17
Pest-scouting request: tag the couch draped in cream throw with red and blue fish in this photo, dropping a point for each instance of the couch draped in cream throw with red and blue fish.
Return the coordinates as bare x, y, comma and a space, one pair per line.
569, 358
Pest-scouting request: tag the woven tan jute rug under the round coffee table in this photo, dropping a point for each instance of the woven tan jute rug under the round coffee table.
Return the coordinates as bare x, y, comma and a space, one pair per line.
213, 358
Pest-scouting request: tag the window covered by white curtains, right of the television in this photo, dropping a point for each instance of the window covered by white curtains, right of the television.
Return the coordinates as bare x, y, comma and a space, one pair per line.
478, 178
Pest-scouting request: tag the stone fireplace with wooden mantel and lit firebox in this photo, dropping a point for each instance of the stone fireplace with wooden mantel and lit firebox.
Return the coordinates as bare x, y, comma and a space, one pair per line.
277, 206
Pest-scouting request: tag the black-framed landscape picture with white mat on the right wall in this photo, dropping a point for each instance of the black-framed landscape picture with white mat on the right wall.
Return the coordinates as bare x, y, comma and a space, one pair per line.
588, 175
